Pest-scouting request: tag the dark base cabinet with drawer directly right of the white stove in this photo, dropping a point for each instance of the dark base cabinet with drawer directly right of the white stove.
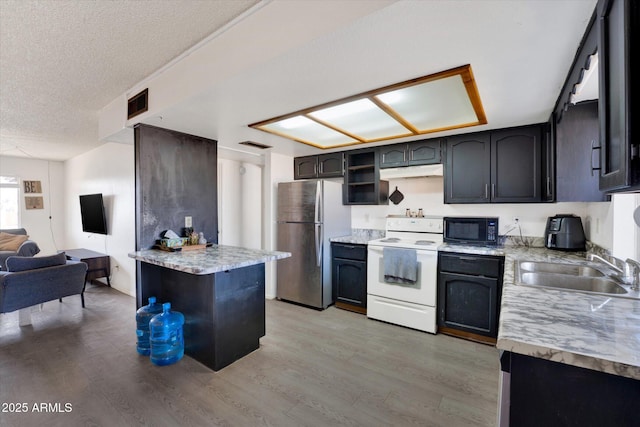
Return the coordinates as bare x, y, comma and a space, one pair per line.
469, 292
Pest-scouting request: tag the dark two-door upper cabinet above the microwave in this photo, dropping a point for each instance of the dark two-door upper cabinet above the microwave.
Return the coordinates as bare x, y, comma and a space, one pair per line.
502, 166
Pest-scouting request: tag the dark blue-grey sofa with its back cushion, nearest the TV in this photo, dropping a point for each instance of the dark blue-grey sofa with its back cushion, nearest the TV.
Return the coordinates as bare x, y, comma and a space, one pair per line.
29, 281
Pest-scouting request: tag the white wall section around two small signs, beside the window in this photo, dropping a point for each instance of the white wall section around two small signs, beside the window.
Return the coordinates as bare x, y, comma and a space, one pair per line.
45, 226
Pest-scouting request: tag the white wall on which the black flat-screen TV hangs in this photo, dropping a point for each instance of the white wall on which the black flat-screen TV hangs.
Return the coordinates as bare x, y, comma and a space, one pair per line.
109, 169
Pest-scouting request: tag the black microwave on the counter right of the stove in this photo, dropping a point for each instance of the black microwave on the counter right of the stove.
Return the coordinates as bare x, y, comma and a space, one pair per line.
471, 230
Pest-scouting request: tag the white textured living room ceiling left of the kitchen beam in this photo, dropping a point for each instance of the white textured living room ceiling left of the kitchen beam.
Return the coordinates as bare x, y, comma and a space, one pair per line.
62, 61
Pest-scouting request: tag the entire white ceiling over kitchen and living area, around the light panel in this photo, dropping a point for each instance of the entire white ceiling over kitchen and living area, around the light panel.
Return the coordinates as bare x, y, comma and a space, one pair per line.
64, 61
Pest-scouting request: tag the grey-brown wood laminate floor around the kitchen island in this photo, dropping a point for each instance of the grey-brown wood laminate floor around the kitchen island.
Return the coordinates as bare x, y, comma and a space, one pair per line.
313, 368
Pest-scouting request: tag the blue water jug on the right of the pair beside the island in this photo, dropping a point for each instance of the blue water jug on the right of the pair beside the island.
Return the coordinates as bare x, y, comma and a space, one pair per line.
167, 341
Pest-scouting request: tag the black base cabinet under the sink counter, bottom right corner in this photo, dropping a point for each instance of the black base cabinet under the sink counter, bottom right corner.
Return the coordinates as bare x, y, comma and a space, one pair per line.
541, 392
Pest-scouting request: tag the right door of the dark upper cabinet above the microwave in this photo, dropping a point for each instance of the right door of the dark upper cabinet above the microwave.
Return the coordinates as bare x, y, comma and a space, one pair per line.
516, 165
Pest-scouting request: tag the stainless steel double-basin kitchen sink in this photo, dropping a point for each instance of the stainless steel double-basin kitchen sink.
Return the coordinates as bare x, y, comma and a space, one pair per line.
574, 277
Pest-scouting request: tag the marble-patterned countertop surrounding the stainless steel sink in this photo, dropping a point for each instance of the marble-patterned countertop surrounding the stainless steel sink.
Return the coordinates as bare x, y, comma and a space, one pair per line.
592, 331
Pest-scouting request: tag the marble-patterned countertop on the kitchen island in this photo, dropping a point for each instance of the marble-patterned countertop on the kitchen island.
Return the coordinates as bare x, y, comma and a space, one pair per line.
210, 260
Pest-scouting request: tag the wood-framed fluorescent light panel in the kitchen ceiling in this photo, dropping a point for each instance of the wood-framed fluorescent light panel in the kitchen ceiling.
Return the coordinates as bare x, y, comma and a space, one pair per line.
438, 102
